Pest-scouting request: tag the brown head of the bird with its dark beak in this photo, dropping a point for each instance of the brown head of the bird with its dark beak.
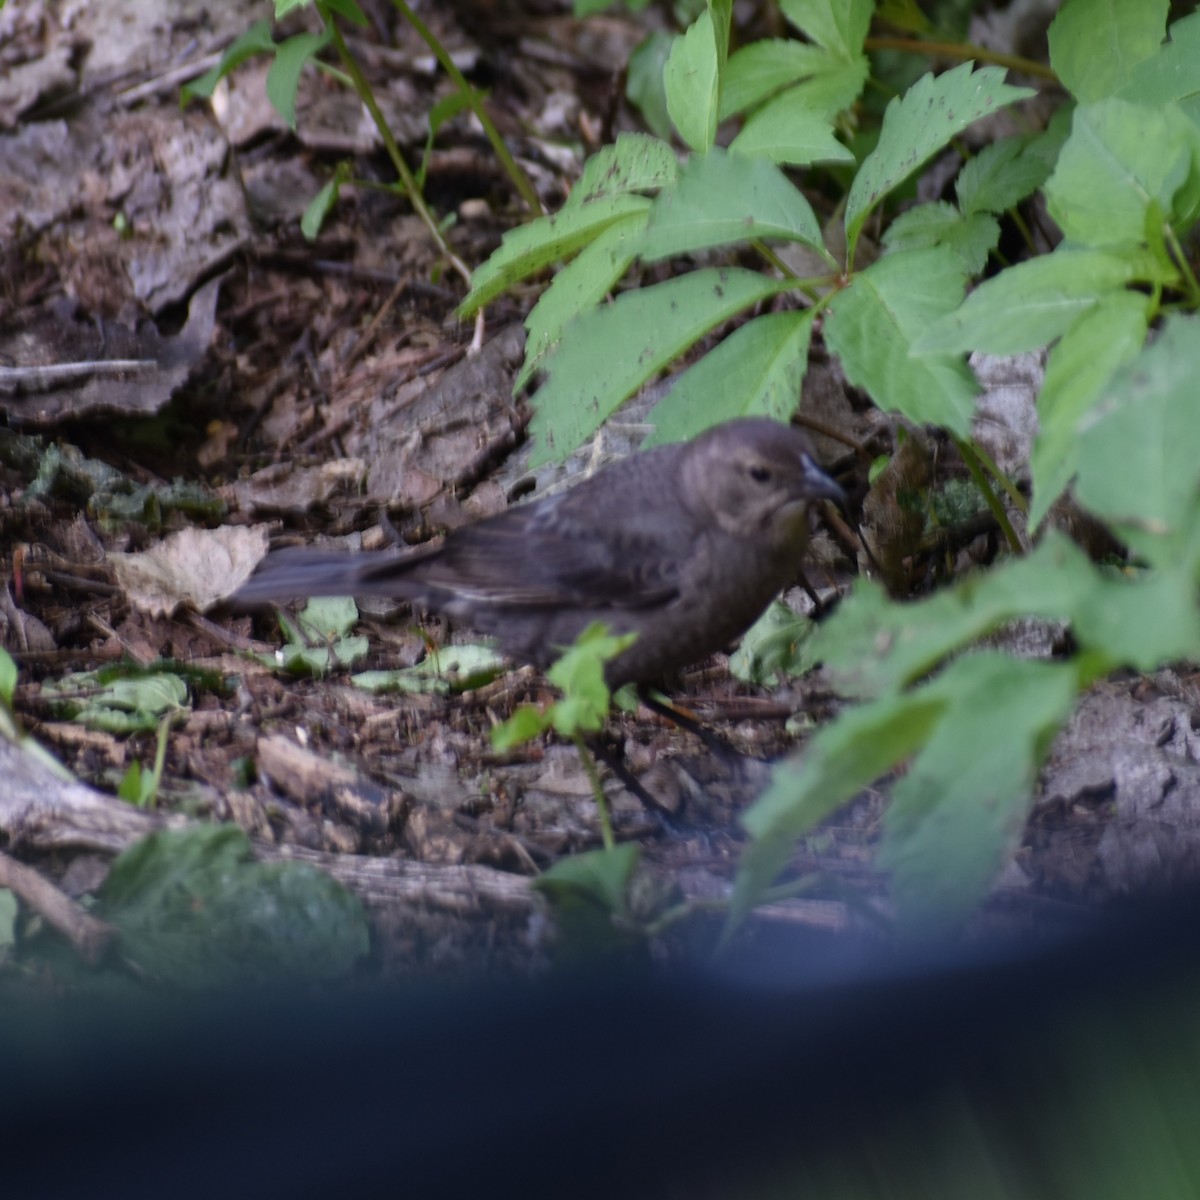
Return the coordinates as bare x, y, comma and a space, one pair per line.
755, 478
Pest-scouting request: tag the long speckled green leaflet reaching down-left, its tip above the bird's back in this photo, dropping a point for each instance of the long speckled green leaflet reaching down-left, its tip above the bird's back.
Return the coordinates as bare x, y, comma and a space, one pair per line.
650, 328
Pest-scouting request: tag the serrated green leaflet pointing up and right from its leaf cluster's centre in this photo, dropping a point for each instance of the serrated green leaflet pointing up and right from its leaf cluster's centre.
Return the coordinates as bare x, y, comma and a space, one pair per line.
920, 124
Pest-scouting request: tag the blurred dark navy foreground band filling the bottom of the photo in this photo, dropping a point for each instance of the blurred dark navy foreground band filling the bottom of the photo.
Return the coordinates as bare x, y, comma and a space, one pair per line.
1063, 1070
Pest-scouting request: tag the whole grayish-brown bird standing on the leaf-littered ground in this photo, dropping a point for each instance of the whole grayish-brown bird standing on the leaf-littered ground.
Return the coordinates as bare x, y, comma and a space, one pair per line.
685, 545
